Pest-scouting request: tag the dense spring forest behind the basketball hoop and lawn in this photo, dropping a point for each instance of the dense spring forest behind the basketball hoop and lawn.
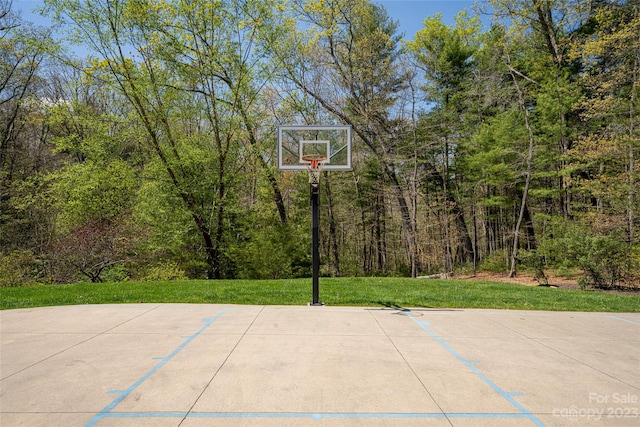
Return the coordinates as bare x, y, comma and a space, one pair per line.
505, 141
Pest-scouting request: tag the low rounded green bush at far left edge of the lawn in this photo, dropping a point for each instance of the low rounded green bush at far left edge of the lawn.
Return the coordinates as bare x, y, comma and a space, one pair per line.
19, 268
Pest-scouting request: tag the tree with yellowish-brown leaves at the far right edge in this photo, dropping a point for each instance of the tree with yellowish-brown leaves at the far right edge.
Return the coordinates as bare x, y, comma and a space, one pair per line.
603, 159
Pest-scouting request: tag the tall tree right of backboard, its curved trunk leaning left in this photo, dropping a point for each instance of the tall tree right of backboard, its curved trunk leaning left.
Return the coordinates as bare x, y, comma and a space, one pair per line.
347, 61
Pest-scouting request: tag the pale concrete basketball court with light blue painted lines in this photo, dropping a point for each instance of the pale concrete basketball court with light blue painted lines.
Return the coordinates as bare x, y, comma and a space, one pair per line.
223, 365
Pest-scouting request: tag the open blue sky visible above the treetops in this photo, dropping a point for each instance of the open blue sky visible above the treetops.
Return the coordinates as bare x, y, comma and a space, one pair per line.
410, 13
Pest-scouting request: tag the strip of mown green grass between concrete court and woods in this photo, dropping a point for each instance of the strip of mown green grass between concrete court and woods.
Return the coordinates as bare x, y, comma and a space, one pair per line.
376, 292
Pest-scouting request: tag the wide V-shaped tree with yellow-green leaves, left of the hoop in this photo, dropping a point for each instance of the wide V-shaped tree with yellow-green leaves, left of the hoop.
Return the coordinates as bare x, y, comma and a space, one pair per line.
189, 78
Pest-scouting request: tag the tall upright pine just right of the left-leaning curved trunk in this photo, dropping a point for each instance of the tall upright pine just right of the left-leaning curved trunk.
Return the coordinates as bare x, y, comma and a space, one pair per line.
445, 55
